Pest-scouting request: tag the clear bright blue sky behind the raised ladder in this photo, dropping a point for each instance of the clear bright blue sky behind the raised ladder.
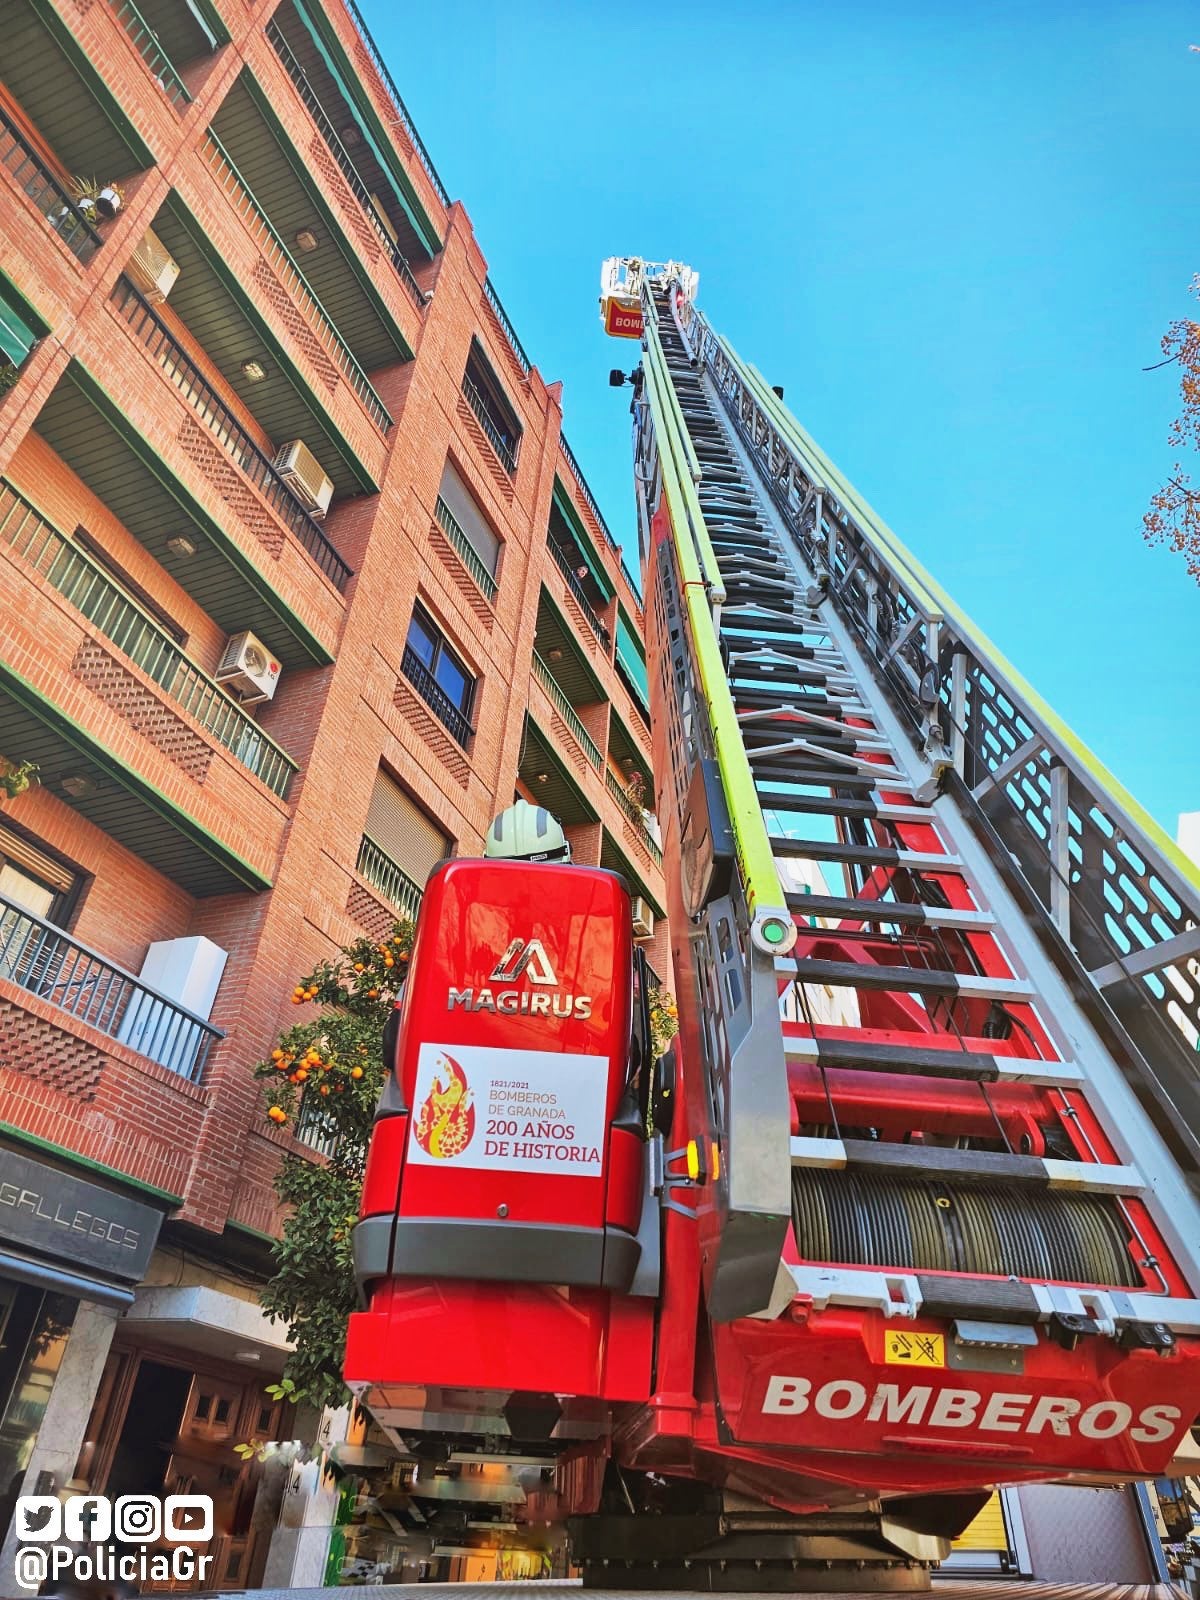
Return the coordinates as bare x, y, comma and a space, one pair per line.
953, 233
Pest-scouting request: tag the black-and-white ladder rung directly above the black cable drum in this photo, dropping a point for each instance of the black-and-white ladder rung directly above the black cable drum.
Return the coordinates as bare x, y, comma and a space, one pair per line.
985, 1167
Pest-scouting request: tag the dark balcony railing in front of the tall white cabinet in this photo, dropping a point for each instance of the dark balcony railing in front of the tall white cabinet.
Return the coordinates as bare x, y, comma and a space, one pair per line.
55, 967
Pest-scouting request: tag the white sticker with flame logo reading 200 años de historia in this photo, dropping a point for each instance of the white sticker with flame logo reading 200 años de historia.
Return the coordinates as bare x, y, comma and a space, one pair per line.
516, 1111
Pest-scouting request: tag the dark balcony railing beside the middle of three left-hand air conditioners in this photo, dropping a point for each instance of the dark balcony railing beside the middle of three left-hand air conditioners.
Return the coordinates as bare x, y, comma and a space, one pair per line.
233, 436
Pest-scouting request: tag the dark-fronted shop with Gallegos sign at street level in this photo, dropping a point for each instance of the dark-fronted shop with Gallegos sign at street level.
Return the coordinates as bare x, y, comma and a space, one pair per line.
71, 1254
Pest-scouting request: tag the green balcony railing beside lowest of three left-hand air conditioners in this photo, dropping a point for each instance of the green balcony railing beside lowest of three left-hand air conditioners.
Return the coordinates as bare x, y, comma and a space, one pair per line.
94, 594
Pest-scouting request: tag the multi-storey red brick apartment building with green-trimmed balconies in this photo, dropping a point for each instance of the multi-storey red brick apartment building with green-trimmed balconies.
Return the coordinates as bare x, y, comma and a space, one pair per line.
262, 255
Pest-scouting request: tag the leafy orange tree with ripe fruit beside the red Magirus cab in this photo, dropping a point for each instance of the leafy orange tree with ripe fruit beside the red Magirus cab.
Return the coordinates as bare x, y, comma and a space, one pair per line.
324, 1081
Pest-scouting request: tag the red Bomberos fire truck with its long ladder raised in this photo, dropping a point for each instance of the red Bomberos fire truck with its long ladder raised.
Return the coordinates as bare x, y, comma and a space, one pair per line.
910, 1207
